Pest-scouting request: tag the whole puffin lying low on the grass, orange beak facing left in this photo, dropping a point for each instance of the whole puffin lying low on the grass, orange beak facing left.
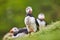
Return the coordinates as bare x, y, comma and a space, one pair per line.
18, 32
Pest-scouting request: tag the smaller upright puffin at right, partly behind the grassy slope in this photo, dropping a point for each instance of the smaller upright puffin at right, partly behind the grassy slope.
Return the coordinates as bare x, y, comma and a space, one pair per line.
41, 21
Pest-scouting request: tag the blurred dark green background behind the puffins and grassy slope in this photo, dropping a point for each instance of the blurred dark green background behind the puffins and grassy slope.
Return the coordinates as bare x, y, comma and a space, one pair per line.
12, 12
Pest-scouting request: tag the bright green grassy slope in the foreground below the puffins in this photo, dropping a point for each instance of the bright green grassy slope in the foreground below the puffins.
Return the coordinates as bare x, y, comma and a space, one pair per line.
51, 32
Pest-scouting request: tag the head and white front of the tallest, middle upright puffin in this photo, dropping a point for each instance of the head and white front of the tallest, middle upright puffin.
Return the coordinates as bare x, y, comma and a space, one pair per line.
30, 20
